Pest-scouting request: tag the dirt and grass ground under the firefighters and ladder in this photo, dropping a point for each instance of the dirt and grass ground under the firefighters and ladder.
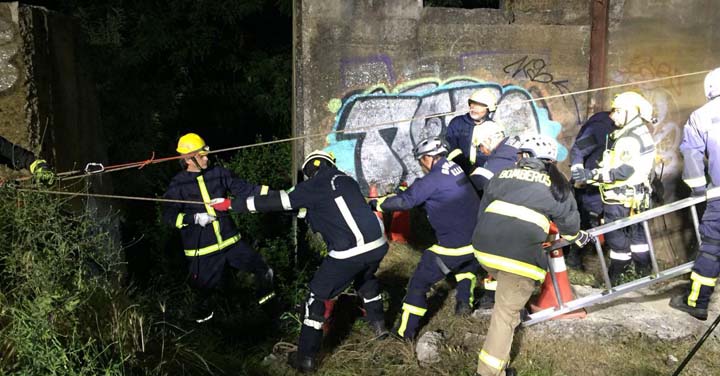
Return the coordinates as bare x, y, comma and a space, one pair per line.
637, 334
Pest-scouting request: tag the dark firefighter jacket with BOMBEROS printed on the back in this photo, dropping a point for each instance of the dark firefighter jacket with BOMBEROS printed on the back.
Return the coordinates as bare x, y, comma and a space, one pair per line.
514, 216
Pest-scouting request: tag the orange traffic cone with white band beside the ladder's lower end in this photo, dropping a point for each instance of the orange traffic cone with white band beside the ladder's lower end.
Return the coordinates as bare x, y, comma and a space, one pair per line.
547, 298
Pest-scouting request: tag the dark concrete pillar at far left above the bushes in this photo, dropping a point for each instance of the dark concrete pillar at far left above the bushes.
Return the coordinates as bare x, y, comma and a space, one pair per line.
47, 99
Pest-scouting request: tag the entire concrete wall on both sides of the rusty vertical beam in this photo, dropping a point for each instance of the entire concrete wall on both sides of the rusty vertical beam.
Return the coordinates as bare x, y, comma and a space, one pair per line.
370, 71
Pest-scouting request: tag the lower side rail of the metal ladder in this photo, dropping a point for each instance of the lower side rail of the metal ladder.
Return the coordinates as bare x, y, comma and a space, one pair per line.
607, 295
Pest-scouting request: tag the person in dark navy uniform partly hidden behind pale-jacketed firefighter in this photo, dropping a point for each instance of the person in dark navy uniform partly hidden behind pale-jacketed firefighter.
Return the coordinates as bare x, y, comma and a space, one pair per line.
586, 152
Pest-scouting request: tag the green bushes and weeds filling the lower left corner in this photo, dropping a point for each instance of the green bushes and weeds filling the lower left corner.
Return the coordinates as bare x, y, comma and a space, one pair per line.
63, 309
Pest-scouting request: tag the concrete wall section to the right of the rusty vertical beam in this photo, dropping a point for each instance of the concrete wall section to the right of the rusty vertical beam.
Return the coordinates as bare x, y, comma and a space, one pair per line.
650, 39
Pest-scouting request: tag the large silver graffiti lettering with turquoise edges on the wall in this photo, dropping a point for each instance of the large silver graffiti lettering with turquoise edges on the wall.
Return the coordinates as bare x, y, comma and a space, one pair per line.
377, 129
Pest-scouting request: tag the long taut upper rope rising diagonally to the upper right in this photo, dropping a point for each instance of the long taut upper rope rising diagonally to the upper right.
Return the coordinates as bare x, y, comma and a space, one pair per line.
81, 173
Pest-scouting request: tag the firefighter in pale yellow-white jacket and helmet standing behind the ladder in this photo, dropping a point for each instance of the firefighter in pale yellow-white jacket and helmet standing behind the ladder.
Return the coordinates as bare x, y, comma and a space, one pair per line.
623, 180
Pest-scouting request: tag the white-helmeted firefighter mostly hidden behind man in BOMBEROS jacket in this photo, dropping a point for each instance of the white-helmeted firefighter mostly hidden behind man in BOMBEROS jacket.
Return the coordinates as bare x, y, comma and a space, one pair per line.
501, 153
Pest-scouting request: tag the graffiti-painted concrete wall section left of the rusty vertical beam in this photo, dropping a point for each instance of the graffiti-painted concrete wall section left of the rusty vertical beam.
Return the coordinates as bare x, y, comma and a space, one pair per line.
372, 69
